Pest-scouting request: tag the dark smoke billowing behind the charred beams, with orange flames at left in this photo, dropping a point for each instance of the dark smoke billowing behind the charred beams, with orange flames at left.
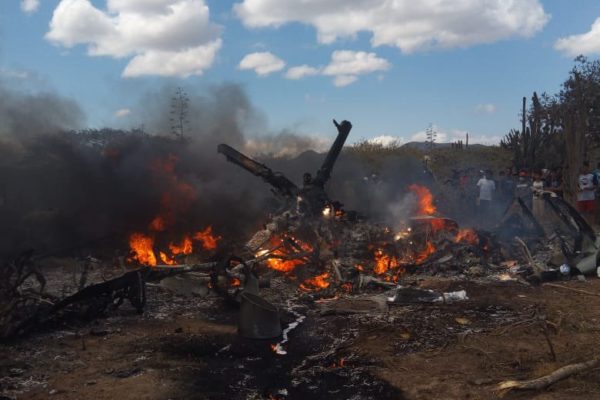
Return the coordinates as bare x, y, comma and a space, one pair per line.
64, 189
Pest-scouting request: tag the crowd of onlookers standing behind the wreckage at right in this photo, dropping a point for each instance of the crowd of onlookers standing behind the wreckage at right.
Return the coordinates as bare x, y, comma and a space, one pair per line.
498, 192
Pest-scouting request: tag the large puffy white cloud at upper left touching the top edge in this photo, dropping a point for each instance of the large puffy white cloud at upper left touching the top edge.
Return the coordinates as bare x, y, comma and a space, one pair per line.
163, 37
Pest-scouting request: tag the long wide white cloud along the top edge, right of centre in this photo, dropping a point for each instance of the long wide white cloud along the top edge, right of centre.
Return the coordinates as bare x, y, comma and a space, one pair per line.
407, 24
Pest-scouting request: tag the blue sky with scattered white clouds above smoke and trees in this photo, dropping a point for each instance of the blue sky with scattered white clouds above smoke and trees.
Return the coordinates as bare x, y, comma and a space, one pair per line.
392, 67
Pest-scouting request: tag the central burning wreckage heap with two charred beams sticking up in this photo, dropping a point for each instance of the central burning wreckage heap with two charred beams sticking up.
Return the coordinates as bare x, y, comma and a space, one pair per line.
324, 248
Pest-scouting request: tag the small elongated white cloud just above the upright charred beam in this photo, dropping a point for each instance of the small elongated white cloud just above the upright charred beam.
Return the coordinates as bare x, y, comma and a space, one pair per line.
345, 67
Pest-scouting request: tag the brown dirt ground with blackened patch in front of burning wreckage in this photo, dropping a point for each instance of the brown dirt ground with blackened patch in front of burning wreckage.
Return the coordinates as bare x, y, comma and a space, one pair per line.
188, 348
